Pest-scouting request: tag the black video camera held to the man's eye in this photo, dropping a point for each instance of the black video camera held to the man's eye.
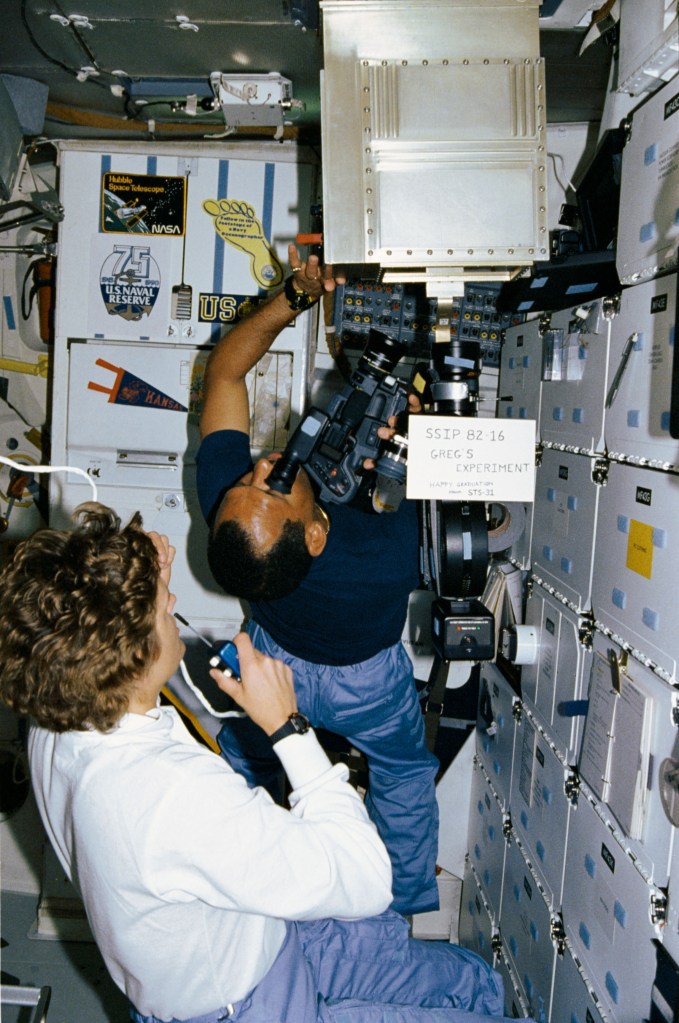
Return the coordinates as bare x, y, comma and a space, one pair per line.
333, 446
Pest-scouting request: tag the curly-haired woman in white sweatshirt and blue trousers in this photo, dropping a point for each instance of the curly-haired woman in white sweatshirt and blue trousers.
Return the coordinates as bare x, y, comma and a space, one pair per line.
207, 900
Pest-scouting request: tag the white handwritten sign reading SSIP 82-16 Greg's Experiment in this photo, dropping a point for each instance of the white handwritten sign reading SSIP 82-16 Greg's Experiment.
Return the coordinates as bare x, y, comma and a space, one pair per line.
456, 459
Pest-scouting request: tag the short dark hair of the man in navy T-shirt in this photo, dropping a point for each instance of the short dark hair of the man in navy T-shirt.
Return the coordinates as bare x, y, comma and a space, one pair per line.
243, 571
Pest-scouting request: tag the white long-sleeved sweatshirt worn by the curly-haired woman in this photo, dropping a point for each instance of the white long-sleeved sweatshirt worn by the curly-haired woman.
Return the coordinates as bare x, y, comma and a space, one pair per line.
187, 874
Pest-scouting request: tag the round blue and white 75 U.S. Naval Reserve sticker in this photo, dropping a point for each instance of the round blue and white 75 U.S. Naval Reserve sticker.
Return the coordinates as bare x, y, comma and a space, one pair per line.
130, 282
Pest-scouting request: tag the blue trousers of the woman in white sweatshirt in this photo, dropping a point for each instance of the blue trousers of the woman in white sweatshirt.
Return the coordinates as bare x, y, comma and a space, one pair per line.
367, 971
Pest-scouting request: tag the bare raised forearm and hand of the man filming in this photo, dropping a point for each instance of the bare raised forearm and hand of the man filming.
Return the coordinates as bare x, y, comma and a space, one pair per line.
225, 399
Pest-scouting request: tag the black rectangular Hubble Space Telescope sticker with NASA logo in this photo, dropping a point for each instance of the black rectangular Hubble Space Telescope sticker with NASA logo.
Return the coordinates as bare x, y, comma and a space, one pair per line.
143, 204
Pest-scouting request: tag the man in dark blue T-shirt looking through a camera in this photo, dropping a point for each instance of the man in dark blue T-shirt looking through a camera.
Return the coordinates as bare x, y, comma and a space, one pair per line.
329, 591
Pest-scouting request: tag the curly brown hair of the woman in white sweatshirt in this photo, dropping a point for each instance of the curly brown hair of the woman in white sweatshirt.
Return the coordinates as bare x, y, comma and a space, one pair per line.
78, 620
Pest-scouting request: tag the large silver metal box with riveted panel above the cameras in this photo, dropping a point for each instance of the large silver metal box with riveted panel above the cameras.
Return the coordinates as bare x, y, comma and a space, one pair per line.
434, 120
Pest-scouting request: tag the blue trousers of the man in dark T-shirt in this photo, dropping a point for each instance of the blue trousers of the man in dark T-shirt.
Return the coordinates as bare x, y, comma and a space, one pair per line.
375, 705
